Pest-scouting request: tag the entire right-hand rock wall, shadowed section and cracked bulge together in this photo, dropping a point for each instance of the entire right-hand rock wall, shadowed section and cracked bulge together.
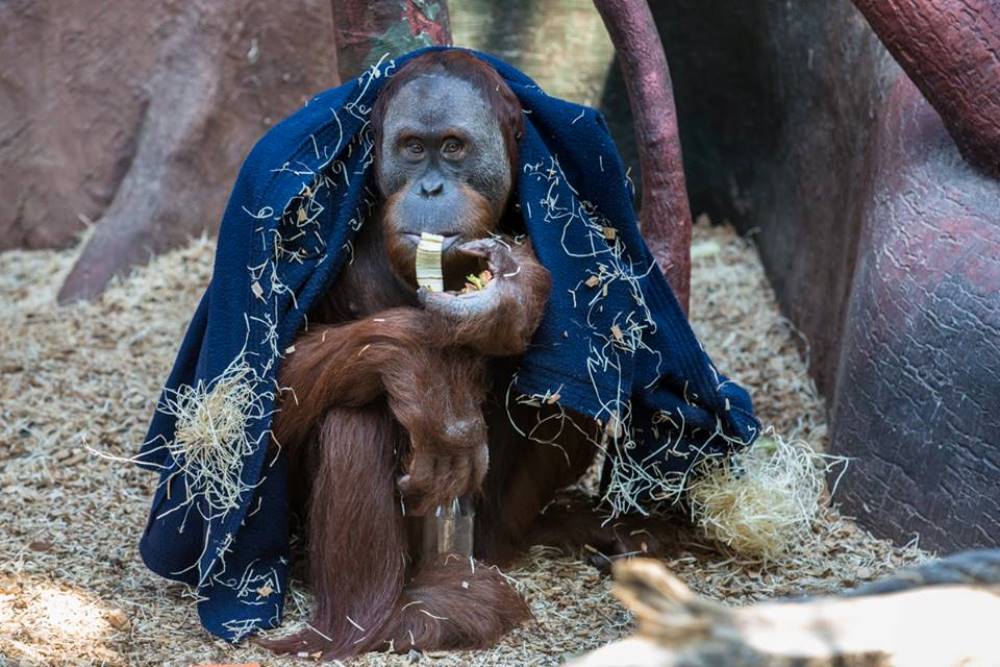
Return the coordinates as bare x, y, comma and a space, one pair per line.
881, 243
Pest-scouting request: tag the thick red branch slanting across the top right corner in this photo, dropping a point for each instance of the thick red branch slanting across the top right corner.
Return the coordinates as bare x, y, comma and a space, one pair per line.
951, 51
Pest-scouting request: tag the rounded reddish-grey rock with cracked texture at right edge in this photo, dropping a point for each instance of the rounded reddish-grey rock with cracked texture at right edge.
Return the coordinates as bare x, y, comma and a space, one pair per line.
918, 393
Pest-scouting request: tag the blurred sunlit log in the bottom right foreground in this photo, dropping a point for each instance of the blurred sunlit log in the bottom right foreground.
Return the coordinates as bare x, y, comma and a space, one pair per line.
941, 614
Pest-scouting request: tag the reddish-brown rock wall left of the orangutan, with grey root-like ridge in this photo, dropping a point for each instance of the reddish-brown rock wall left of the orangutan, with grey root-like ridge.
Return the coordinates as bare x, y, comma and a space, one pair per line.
138, 112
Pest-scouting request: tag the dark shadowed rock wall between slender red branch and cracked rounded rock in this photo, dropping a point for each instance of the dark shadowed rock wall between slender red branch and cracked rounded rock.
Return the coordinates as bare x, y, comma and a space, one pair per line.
775, 102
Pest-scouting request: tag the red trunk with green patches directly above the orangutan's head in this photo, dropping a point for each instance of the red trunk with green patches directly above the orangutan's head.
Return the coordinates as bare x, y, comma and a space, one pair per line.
365, 30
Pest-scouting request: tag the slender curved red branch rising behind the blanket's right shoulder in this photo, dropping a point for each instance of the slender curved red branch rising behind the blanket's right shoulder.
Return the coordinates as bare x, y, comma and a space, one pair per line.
665, 215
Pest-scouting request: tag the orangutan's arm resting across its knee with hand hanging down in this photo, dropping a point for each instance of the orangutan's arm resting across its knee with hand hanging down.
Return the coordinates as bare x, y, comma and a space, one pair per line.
434, 391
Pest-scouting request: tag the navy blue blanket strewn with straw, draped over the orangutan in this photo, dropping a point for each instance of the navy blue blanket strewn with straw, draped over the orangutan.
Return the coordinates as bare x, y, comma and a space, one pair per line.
613, 343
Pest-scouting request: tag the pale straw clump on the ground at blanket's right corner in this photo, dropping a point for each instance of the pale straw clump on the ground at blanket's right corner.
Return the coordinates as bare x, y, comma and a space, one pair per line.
761, 503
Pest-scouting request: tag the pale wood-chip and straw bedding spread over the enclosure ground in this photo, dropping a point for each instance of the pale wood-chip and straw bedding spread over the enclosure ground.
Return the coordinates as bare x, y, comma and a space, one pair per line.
72, 589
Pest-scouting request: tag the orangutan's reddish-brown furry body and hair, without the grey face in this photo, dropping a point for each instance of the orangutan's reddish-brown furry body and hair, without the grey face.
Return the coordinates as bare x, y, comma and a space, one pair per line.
391, 405
